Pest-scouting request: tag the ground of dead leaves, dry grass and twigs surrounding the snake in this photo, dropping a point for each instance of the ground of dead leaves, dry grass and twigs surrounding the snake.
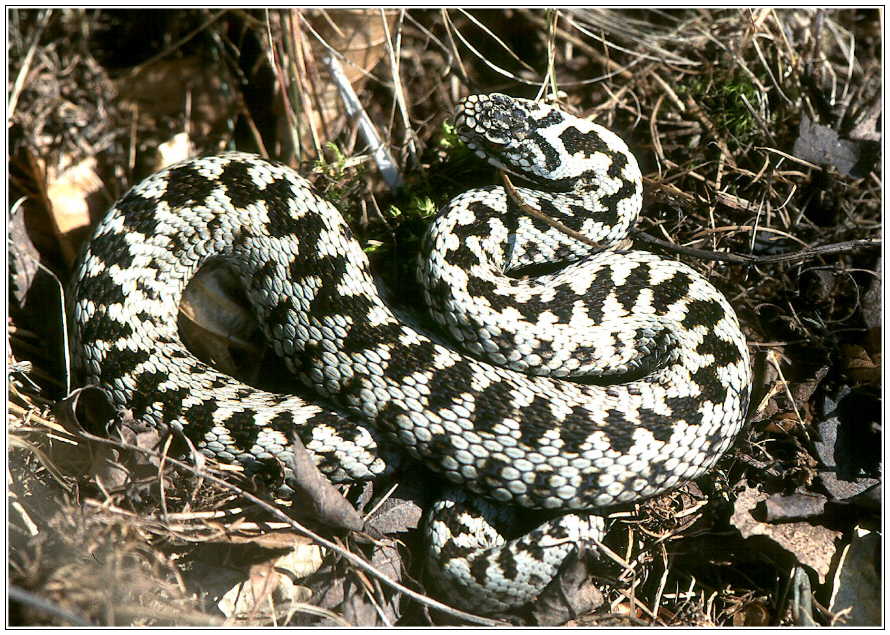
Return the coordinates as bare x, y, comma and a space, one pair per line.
756, 131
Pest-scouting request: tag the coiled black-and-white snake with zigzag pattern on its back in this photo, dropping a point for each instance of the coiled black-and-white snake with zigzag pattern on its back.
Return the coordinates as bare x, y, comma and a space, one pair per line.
551, 374
